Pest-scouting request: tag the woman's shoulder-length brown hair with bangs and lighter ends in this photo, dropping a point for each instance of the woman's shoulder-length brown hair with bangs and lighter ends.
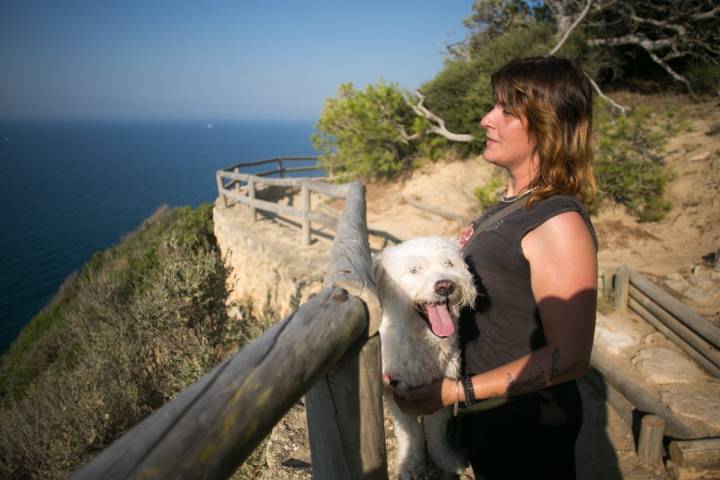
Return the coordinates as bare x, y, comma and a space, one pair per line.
555, 97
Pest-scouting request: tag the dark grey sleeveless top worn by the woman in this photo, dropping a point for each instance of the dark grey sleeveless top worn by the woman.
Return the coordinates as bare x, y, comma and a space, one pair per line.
506, 323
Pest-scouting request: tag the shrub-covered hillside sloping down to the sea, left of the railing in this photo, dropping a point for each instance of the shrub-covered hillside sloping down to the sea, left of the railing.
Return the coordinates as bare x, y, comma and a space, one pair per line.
143, 320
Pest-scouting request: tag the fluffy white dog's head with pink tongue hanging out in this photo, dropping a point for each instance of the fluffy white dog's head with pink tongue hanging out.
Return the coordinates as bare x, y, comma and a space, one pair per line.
429, 277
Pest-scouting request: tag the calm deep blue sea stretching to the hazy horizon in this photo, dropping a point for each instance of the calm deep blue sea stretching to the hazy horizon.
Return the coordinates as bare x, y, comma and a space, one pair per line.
70, 189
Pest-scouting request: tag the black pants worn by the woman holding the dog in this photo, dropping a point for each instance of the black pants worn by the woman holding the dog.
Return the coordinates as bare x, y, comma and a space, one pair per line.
529, 438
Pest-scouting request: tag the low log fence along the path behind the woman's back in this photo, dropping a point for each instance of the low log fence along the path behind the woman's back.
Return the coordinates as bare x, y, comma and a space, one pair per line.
697, 337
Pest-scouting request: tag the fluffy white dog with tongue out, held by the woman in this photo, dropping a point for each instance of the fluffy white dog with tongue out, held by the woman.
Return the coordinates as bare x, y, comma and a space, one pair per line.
422, 284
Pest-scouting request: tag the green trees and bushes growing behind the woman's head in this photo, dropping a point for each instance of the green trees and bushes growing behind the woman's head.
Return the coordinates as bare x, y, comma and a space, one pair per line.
373, 133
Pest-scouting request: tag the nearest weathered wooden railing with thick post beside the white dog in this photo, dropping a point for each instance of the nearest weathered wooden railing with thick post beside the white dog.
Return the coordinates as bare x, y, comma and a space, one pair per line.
328, 349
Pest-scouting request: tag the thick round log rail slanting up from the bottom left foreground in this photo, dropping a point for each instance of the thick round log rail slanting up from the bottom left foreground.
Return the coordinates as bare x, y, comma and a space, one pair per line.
211, 427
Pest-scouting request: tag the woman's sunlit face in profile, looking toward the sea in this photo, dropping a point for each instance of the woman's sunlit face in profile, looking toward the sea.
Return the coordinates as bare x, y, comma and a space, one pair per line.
508, 144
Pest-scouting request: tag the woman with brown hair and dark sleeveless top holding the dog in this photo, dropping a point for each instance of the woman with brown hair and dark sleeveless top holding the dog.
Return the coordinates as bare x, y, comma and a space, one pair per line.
530, 334
